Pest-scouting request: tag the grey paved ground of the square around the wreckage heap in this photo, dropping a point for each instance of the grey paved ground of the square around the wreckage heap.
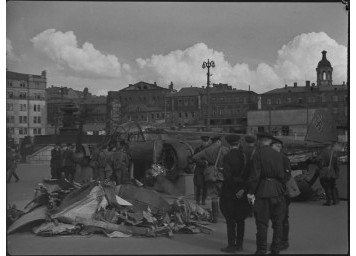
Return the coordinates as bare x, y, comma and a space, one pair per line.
314, 230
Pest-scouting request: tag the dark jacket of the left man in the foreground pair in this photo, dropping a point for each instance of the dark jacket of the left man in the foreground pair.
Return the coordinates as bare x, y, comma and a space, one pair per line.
235, 174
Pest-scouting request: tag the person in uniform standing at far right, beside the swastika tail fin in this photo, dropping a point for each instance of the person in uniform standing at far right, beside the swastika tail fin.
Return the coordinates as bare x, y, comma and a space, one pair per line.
328, 173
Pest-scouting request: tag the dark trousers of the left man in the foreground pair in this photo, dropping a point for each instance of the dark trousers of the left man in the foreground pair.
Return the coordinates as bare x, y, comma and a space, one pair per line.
235, 212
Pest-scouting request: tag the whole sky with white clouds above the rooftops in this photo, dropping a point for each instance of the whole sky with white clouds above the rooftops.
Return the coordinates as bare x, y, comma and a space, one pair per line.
107, 45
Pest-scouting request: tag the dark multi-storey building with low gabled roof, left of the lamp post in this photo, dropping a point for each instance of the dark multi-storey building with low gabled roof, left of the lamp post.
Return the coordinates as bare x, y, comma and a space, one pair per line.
137, 102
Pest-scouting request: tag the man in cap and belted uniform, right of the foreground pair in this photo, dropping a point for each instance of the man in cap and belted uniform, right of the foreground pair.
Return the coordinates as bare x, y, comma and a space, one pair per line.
267, 187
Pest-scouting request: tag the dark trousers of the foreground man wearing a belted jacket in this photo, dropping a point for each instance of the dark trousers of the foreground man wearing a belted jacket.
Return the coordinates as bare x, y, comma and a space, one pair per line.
269, 209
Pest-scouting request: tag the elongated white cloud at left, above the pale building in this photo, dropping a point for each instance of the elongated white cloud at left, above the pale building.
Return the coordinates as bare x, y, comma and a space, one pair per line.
86, 60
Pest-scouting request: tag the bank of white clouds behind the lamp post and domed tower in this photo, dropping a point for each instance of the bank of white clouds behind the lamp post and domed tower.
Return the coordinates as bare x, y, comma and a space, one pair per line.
295, 61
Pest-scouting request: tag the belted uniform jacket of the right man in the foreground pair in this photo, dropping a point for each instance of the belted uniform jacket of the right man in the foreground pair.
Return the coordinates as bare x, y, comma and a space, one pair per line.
268, 173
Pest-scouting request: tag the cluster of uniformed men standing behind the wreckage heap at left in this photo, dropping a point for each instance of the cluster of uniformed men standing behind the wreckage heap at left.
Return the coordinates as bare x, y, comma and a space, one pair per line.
108, 162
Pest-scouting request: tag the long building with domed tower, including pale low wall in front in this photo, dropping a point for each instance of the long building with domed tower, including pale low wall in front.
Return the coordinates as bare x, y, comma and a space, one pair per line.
288, 110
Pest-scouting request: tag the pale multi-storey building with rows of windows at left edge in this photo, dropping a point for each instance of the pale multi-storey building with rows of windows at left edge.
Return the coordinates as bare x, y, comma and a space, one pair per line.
26, 110
